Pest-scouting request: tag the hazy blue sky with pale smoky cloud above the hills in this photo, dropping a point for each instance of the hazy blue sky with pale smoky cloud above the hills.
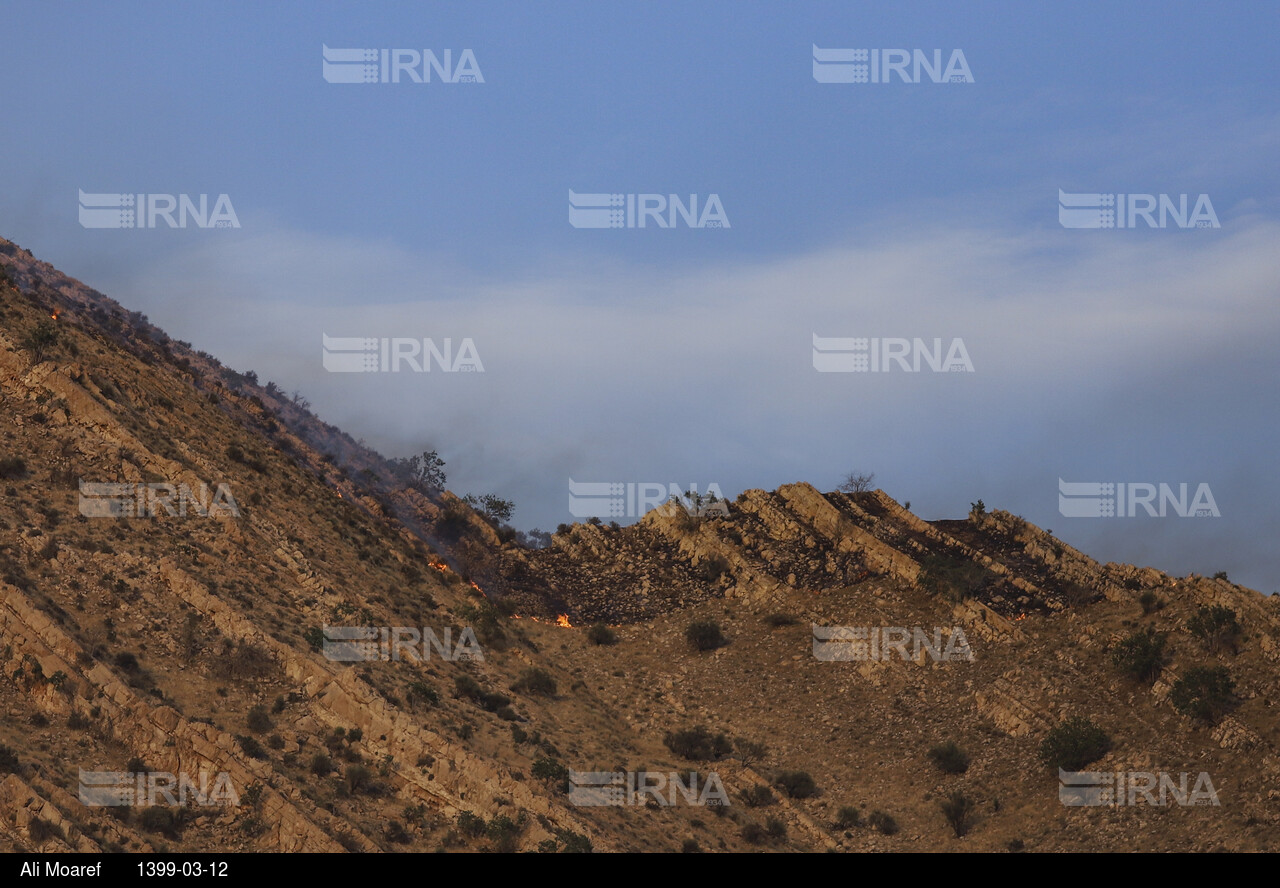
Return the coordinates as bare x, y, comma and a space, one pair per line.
435, 203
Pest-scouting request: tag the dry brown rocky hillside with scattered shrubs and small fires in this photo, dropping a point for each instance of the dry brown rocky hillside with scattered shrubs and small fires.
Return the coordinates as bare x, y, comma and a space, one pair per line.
195, 643
